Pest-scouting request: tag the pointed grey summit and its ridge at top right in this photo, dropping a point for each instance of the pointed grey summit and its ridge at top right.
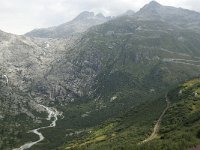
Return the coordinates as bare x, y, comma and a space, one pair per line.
172, 15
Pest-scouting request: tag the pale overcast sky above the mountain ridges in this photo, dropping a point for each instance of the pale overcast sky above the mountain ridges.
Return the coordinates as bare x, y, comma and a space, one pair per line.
21, 16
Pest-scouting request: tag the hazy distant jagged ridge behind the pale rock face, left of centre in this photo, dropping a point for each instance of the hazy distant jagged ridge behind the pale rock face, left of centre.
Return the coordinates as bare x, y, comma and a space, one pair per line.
80, 24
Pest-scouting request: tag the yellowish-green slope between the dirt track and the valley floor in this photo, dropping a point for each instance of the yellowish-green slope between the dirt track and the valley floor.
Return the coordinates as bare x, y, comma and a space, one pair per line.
123, 132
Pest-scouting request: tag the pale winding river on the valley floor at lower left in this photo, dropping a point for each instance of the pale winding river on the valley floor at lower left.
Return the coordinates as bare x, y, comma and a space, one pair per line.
52, 113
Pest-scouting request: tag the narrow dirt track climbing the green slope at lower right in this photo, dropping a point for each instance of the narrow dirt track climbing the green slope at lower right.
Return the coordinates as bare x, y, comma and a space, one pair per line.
157, 125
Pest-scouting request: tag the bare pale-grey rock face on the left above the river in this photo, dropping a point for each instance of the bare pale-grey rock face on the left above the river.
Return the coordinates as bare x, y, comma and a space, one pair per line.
45, 69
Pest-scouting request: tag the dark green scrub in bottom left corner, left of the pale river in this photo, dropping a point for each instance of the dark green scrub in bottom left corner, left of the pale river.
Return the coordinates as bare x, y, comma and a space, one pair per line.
13, 132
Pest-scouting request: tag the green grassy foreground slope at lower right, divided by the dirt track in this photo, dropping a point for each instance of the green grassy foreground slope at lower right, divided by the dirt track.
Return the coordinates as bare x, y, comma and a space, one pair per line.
180, 127
